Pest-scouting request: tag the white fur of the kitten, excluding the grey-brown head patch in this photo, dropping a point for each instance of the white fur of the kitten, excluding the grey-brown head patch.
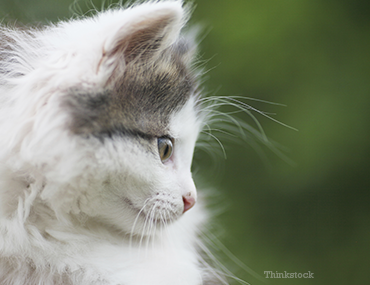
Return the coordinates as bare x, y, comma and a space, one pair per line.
63, 218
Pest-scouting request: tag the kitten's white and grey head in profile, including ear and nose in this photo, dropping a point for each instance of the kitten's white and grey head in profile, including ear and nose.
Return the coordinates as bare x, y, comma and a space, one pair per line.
104, 115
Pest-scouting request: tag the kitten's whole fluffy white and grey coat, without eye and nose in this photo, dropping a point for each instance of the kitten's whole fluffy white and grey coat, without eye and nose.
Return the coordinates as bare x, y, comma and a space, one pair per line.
84, 195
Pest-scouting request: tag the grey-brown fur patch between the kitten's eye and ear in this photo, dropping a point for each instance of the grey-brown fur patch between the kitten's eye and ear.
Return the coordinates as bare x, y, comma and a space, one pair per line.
138, 102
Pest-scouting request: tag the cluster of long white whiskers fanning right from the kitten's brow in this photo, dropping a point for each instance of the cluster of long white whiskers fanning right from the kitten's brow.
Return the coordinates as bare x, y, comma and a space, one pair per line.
224, 123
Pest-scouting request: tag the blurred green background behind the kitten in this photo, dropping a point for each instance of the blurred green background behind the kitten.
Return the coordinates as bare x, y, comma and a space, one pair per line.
313, 56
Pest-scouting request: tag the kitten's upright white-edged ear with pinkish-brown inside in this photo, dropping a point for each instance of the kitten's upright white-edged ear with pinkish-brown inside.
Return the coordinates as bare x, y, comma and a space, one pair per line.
142, 34
